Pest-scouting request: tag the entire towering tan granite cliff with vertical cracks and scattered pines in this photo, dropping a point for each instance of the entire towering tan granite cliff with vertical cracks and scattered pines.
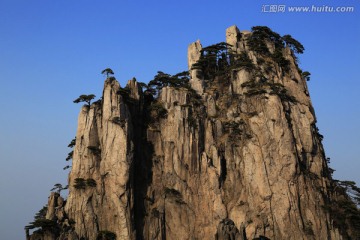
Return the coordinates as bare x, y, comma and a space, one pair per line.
237, 156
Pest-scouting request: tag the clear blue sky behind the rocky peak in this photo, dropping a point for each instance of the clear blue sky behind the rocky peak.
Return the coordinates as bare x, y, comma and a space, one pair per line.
51, 51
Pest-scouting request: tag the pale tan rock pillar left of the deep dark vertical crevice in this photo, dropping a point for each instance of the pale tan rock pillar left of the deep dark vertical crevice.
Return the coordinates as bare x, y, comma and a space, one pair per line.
108, 205
